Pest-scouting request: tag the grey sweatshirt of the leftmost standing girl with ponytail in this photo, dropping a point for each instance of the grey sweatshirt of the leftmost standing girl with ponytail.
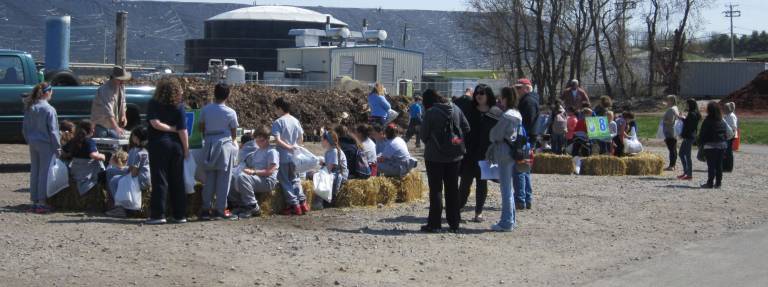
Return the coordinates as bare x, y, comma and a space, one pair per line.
41, 125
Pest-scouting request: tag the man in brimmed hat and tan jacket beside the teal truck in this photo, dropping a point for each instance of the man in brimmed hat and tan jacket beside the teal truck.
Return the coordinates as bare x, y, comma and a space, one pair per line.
108, 107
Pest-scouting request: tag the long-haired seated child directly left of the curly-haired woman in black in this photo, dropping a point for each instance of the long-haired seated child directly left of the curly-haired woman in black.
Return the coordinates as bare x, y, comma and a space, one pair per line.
137, 164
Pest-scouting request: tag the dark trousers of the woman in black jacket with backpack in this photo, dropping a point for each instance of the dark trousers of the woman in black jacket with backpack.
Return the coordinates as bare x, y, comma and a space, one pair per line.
443, 175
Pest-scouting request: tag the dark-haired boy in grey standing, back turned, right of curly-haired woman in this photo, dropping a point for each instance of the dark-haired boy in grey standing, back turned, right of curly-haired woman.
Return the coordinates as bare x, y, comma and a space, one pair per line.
219, 125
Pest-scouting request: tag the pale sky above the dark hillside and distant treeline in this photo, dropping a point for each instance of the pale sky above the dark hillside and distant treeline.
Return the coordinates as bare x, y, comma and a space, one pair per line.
713, 20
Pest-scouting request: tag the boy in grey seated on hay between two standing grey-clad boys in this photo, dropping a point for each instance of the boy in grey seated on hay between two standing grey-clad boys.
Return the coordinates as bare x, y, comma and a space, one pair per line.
258, 175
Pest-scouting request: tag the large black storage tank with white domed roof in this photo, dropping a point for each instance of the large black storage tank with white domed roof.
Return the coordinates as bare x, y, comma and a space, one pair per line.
252, 36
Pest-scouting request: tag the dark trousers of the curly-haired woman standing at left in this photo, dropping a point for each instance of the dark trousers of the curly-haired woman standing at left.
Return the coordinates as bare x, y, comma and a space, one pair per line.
166, 165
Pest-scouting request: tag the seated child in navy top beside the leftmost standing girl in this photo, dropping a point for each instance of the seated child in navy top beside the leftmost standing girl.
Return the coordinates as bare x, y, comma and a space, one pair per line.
87, 161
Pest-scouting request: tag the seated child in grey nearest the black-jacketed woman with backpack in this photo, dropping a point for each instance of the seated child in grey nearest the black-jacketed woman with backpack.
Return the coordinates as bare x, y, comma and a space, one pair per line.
394, 160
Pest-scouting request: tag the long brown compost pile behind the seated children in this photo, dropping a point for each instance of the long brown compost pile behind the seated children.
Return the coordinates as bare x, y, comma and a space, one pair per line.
314, 108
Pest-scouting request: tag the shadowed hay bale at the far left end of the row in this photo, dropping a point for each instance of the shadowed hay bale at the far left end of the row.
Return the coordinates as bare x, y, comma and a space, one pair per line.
69, 199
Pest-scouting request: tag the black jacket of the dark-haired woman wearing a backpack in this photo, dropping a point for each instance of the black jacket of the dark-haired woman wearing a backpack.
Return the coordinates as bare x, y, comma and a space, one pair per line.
434, 121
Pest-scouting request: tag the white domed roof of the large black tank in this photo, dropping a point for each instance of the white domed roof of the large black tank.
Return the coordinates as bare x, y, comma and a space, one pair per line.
276, 13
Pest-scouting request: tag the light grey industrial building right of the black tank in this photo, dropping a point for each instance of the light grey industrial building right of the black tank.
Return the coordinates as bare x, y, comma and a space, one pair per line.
368, 64
